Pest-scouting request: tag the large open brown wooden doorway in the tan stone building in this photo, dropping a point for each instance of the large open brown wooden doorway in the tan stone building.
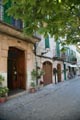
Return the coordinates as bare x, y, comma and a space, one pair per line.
16, 69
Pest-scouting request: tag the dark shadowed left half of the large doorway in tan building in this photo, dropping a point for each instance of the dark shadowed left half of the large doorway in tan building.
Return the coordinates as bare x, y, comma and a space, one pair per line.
12, 69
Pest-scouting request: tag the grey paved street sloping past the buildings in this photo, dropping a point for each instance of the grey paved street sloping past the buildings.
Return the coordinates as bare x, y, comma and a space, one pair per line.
53, 102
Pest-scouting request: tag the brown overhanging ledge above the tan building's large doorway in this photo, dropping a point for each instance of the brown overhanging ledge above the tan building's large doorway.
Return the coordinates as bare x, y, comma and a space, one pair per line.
13, 32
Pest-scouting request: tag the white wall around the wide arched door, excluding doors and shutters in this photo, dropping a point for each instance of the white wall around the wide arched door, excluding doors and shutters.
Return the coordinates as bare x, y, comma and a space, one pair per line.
51, 53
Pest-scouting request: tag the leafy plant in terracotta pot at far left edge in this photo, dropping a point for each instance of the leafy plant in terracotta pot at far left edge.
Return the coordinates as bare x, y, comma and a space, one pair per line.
3, 91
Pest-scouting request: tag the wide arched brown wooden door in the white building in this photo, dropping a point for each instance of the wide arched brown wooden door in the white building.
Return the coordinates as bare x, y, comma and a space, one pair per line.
47, 67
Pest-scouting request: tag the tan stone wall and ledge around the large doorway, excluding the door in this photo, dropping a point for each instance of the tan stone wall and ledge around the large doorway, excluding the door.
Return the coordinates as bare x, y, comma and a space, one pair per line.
10, 37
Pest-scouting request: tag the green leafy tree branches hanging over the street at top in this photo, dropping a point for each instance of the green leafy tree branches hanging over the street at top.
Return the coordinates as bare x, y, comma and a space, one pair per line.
58, 18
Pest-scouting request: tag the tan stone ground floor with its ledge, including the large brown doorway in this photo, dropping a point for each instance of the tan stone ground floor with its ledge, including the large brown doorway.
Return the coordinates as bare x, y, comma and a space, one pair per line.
16, 57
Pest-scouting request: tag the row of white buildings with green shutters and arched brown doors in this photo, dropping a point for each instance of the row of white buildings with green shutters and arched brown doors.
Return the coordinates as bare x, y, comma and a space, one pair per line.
55, 63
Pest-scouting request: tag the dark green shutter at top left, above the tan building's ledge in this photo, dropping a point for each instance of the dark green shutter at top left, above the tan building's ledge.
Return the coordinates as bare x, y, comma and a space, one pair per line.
6, 18
